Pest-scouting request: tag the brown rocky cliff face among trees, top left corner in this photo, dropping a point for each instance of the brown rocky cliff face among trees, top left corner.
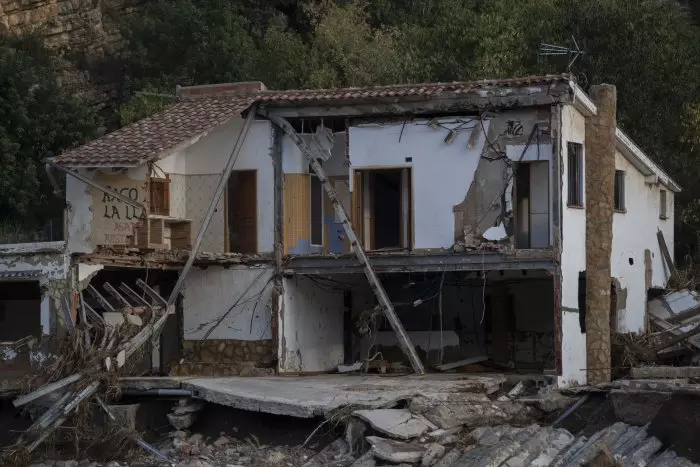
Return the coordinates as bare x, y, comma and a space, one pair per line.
84, 32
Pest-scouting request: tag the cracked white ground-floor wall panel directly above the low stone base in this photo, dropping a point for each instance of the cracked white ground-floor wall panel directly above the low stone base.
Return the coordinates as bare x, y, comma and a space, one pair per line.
210, 293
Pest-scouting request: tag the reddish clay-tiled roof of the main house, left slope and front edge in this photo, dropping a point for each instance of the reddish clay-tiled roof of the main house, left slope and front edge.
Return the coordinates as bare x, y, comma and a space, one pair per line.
191, 118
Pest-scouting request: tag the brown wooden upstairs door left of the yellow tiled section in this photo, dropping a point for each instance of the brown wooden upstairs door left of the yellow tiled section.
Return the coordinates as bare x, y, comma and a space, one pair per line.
242, 212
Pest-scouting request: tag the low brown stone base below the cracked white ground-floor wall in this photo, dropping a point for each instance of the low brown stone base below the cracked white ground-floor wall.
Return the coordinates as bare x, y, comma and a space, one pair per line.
227, 357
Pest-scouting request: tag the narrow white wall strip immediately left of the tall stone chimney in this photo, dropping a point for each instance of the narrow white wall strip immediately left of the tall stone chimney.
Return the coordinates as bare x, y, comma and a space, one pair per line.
573, 260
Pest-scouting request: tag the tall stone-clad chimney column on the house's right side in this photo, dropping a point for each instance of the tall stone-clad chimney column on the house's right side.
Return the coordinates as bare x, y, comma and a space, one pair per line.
600, 176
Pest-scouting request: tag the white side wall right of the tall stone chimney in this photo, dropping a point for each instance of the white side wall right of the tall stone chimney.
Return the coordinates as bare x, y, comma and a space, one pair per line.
634, 231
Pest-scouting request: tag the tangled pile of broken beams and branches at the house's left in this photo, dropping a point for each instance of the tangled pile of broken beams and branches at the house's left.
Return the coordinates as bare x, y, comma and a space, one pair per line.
88, 364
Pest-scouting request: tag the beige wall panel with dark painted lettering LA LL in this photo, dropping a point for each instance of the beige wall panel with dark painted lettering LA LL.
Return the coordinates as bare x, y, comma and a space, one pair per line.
113, 220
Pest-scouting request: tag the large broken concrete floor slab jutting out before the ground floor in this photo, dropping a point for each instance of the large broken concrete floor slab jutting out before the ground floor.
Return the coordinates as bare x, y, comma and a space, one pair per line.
312, 396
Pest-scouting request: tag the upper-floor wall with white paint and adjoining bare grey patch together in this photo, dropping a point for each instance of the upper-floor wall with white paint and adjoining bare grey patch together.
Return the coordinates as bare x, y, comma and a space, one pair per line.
454, 186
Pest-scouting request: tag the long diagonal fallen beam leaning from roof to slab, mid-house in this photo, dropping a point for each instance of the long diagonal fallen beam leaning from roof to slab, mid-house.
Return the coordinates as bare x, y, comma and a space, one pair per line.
314, 152
